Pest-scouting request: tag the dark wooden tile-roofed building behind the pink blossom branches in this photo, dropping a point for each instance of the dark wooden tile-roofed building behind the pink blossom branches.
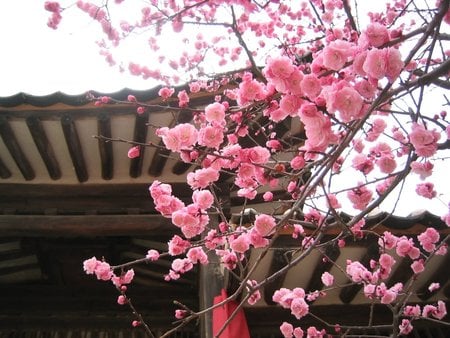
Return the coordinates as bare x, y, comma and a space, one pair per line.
66, 196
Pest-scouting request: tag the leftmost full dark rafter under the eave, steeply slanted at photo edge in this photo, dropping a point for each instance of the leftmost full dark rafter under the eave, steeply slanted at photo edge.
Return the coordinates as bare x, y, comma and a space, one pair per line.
10, 140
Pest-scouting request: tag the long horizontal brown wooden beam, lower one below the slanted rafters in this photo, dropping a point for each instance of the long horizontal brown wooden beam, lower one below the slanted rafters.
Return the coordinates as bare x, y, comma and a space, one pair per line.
83, 225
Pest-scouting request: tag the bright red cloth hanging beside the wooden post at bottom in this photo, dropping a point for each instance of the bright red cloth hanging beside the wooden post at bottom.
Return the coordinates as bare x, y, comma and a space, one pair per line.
237, 328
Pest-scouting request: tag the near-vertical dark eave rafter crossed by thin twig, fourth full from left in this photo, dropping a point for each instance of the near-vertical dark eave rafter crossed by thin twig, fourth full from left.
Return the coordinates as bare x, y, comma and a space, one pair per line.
105, 147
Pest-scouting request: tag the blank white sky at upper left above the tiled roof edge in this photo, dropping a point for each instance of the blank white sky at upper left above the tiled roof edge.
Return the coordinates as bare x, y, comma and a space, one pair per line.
38, 60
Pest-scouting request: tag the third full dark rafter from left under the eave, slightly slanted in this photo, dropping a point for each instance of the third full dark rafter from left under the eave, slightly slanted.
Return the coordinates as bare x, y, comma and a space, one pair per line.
74, 146
